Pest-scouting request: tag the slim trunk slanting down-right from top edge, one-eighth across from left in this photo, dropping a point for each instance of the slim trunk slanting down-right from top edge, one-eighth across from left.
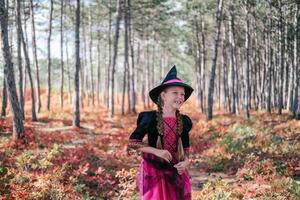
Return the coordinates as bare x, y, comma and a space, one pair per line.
35, 60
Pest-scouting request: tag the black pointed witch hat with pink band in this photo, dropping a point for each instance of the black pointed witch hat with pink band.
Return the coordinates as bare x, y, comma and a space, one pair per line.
170, 80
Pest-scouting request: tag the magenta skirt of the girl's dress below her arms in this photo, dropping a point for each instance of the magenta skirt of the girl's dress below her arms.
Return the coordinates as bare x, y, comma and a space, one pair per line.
159, 180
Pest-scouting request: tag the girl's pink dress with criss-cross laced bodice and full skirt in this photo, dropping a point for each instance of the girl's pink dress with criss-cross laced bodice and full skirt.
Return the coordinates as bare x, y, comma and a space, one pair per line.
159, 180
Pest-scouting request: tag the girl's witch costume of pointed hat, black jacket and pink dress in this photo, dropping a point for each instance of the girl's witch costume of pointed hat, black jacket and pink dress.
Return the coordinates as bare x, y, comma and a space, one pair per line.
158, 179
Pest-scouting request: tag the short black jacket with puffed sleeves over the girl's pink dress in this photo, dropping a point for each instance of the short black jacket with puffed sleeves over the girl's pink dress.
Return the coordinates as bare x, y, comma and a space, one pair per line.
146, 124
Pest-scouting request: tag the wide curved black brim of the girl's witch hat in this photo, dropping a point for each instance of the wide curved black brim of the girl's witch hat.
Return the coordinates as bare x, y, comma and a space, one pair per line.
155, 92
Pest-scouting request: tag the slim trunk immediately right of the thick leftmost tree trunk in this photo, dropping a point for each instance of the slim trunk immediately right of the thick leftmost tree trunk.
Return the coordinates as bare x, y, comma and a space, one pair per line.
19, 56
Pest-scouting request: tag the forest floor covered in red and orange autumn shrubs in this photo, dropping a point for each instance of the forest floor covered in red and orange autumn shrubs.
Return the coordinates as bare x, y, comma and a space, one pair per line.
231, 158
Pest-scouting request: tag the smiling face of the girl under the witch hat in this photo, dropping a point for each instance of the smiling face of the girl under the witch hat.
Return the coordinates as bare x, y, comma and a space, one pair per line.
173, 97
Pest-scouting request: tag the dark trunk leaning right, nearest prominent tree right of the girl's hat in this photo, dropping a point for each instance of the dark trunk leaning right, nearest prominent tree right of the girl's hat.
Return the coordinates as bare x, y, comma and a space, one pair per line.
214, 61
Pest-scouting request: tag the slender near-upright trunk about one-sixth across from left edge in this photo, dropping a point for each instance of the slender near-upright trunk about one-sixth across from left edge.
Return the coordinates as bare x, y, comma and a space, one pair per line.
49, 57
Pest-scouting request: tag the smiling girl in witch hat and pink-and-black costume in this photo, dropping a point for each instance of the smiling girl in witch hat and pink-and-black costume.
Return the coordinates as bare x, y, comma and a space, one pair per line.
163, 171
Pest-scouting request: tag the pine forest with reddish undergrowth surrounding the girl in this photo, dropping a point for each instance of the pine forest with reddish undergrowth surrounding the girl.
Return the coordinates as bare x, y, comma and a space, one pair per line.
74, 74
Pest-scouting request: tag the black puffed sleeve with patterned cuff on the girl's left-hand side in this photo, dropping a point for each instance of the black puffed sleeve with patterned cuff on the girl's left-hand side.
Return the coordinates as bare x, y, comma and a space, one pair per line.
136, 137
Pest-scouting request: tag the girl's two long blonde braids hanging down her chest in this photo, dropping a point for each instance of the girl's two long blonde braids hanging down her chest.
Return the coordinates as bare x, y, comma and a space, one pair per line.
160, 129
